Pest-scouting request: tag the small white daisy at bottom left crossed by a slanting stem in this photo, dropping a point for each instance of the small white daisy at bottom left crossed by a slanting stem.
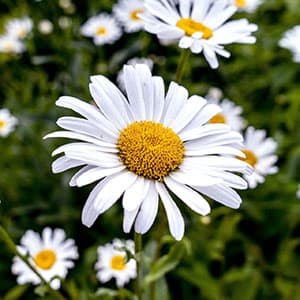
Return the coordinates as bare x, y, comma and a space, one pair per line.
51, 254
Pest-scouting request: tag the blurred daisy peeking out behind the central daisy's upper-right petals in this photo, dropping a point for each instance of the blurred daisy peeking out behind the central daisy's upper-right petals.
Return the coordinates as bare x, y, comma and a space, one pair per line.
230, 114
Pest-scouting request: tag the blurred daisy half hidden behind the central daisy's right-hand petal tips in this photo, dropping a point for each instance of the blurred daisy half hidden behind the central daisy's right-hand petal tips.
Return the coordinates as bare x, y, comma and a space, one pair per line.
259, 151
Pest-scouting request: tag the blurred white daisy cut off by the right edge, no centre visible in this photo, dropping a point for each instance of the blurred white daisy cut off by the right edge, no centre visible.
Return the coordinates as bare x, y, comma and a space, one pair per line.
291, 40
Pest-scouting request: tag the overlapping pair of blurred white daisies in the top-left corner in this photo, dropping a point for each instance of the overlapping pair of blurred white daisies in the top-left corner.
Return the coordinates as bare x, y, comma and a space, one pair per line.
16, 31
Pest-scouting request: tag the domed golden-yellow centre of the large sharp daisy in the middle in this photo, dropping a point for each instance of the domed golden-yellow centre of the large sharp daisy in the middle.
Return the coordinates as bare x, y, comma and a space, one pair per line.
149, 149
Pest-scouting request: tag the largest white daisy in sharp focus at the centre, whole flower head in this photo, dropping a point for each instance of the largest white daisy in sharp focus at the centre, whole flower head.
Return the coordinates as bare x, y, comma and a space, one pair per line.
142, 146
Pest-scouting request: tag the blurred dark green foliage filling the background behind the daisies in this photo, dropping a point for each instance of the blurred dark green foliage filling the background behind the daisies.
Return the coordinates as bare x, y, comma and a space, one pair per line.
251, 253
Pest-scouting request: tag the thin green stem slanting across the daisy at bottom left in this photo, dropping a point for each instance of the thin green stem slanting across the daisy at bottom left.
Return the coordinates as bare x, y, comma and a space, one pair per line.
12, 247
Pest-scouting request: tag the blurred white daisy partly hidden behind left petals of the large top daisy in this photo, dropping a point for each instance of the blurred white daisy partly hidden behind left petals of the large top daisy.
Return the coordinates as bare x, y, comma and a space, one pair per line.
127, 13
